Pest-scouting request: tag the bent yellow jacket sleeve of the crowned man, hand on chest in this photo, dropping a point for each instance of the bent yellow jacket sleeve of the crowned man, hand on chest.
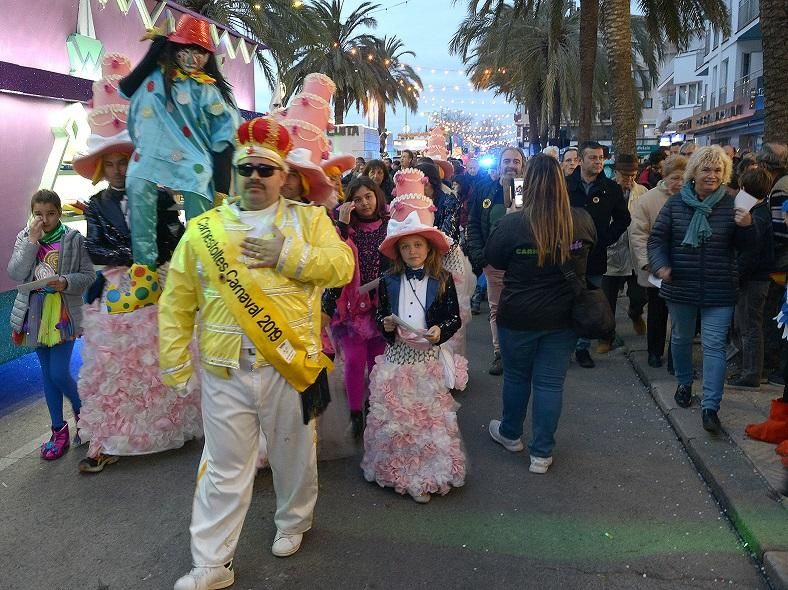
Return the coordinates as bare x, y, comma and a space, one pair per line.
323, 259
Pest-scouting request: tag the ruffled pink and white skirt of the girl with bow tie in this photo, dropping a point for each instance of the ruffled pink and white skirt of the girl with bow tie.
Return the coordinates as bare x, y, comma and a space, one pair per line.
412, 441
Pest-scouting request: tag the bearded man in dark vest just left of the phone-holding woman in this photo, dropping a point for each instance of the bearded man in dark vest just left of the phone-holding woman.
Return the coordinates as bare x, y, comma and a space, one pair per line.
487, 209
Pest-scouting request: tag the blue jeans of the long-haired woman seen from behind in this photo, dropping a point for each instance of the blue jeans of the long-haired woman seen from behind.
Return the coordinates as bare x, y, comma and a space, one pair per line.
535, 360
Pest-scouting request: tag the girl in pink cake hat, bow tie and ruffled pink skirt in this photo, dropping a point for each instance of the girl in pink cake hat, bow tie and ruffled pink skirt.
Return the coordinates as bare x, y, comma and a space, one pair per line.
412, 442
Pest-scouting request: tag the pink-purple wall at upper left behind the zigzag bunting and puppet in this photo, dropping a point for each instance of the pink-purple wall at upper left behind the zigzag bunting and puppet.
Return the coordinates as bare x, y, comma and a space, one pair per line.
35, 36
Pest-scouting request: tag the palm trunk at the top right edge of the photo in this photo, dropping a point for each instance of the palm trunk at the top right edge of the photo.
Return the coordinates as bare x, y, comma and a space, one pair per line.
774, 22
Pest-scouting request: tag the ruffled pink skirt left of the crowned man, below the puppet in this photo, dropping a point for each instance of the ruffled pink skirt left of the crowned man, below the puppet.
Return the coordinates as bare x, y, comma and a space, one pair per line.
126, 409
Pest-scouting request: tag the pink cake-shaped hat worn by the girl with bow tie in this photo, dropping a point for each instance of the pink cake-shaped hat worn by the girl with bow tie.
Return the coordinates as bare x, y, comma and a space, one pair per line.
412, 213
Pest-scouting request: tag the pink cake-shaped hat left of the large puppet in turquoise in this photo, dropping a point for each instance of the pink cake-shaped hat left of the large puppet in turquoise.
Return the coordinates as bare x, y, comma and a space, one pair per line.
107, 120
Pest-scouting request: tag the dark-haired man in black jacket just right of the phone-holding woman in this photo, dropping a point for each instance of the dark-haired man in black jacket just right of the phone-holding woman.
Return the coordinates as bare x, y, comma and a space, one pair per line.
591, 190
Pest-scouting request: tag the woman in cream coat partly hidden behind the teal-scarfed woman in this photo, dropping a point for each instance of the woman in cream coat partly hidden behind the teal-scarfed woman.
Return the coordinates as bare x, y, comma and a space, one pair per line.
644, 213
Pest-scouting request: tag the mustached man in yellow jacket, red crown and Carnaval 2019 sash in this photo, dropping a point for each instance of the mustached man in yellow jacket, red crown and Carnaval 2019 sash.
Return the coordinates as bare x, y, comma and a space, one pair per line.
255, 267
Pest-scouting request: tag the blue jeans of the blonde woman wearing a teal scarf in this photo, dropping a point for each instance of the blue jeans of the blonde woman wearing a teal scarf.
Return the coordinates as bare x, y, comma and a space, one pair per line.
714, 325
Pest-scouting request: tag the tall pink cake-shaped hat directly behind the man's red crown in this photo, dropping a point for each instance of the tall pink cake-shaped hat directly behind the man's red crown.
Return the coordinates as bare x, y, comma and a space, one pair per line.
306, 119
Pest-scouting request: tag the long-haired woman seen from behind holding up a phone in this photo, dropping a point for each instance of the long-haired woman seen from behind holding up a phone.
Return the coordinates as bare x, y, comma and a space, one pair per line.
534, 312
